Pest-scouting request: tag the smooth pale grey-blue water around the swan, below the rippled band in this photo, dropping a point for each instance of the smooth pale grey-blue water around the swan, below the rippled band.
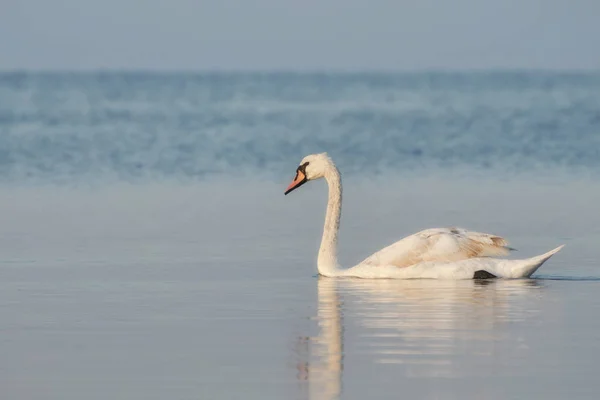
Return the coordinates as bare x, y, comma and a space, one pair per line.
209, 291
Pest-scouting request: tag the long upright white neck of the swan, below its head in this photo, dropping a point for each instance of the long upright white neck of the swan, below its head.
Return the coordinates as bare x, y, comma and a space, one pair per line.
327, 263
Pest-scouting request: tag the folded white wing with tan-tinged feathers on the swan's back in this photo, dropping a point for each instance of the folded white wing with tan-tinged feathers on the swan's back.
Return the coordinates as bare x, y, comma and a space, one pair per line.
440, 245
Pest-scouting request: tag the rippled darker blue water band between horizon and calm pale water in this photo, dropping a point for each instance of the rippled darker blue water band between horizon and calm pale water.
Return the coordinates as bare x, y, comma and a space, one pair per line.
57, 127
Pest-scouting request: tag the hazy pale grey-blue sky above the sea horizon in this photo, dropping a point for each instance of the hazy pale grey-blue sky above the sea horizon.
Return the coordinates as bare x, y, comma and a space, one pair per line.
299, 34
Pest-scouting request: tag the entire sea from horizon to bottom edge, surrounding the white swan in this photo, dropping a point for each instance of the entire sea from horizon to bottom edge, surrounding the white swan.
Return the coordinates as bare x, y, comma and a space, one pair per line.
147, 250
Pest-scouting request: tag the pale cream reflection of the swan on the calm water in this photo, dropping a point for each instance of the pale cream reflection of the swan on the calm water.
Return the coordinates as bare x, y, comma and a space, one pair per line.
424, 328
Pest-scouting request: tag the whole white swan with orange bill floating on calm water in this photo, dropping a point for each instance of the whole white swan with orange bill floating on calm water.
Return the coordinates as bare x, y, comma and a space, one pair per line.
438, 253
